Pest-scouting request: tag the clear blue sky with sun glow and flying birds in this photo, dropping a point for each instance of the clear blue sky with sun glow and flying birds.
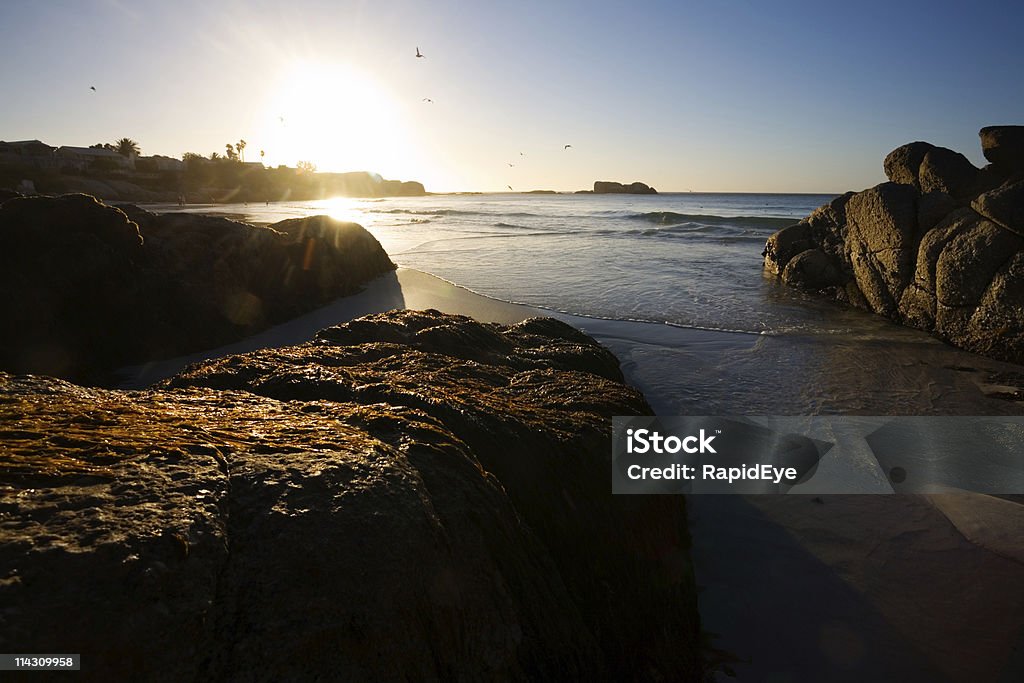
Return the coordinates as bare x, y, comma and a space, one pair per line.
730, 96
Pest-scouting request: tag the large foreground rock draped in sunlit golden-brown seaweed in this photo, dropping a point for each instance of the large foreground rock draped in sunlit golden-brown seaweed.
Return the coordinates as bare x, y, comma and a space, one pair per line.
410, 496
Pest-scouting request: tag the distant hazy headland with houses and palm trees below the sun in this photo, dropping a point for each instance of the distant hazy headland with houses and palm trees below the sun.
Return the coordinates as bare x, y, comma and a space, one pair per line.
119, 173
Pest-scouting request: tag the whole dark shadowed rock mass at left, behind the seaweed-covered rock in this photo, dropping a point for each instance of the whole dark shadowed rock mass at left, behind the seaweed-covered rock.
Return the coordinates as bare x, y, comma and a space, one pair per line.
87, 288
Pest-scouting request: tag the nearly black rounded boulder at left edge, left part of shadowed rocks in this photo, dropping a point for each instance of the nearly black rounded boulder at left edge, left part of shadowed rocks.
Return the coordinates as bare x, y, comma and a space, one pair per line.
70, 283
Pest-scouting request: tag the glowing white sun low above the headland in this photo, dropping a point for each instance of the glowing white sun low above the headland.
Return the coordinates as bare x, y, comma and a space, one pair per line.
336, 117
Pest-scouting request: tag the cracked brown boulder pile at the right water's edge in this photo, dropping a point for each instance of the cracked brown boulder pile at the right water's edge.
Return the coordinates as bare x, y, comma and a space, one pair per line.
941, 247
